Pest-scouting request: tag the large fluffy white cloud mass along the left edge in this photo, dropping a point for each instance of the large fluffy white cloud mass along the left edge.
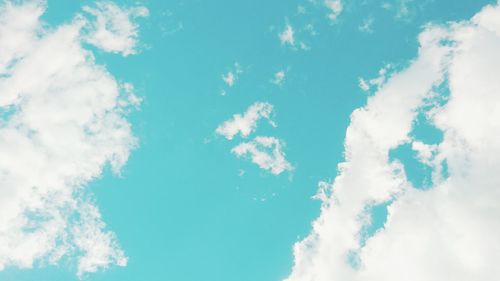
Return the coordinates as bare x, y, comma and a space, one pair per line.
62, 121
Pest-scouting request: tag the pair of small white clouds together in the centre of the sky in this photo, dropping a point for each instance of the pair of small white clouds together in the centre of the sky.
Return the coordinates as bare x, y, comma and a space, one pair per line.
266, 152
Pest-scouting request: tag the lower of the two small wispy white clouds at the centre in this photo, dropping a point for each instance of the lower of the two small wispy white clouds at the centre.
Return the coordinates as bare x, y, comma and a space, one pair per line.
266, 152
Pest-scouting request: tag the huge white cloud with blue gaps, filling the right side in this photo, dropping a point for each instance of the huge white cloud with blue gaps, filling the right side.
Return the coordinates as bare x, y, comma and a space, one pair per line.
449, 231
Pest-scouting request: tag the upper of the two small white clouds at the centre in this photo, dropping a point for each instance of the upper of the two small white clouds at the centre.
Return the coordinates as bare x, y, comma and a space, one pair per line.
246, 123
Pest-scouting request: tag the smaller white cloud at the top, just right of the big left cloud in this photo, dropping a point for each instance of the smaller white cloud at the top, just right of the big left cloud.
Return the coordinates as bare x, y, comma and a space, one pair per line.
113, 29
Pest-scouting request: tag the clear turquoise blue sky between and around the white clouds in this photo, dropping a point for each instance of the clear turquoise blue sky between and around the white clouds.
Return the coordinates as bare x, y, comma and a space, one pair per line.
181, 209
